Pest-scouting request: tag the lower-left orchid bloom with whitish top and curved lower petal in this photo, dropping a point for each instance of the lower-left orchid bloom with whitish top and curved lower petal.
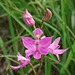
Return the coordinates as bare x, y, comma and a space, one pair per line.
24, 61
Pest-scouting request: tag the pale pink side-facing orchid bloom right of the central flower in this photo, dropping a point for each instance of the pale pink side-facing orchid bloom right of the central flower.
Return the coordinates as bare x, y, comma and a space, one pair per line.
54, 48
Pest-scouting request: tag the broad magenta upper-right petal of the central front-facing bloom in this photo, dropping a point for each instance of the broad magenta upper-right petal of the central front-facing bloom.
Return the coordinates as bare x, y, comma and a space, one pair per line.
45, 42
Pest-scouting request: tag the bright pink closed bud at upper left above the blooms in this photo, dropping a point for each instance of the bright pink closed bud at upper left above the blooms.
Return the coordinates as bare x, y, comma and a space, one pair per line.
28, 18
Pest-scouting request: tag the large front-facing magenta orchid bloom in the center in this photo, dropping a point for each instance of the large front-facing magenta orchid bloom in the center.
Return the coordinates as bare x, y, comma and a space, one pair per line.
36, 47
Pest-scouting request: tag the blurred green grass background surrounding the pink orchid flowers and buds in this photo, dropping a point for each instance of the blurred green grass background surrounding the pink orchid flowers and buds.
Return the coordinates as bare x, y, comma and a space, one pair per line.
12, 26
